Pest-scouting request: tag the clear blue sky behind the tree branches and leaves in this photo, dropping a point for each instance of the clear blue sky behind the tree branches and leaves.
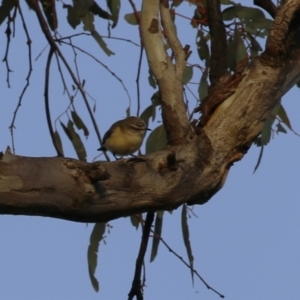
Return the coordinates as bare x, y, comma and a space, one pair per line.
245, 240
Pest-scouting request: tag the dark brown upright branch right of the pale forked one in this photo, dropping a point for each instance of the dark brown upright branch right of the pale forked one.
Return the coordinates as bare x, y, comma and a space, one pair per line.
218, 61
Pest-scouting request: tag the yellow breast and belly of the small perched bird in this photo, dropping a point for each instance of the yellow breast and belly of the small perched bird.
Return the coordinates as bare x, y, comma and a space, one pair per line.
124, 142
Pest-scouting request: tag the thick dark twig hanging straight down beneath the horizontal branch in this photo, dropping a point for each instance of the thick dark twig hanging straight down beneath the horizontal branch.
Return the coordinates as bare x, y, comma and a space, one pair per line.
136, 288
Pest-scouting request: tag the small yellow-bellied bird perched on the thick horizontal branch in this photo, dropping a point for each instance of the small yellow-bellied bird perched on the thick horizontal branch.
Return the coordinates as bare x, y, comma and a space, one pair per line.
125, 136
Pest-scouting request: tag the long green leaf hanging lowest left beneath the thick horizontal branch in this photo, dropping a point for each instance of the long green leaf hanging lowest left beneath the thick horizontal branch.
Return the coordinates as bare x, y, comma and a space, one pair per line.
92, 253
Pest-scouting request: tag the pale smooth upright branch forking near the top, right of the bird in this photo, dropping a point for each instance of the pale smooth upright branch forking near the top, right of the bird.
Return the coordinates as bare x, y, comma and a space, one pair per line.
168, 76
